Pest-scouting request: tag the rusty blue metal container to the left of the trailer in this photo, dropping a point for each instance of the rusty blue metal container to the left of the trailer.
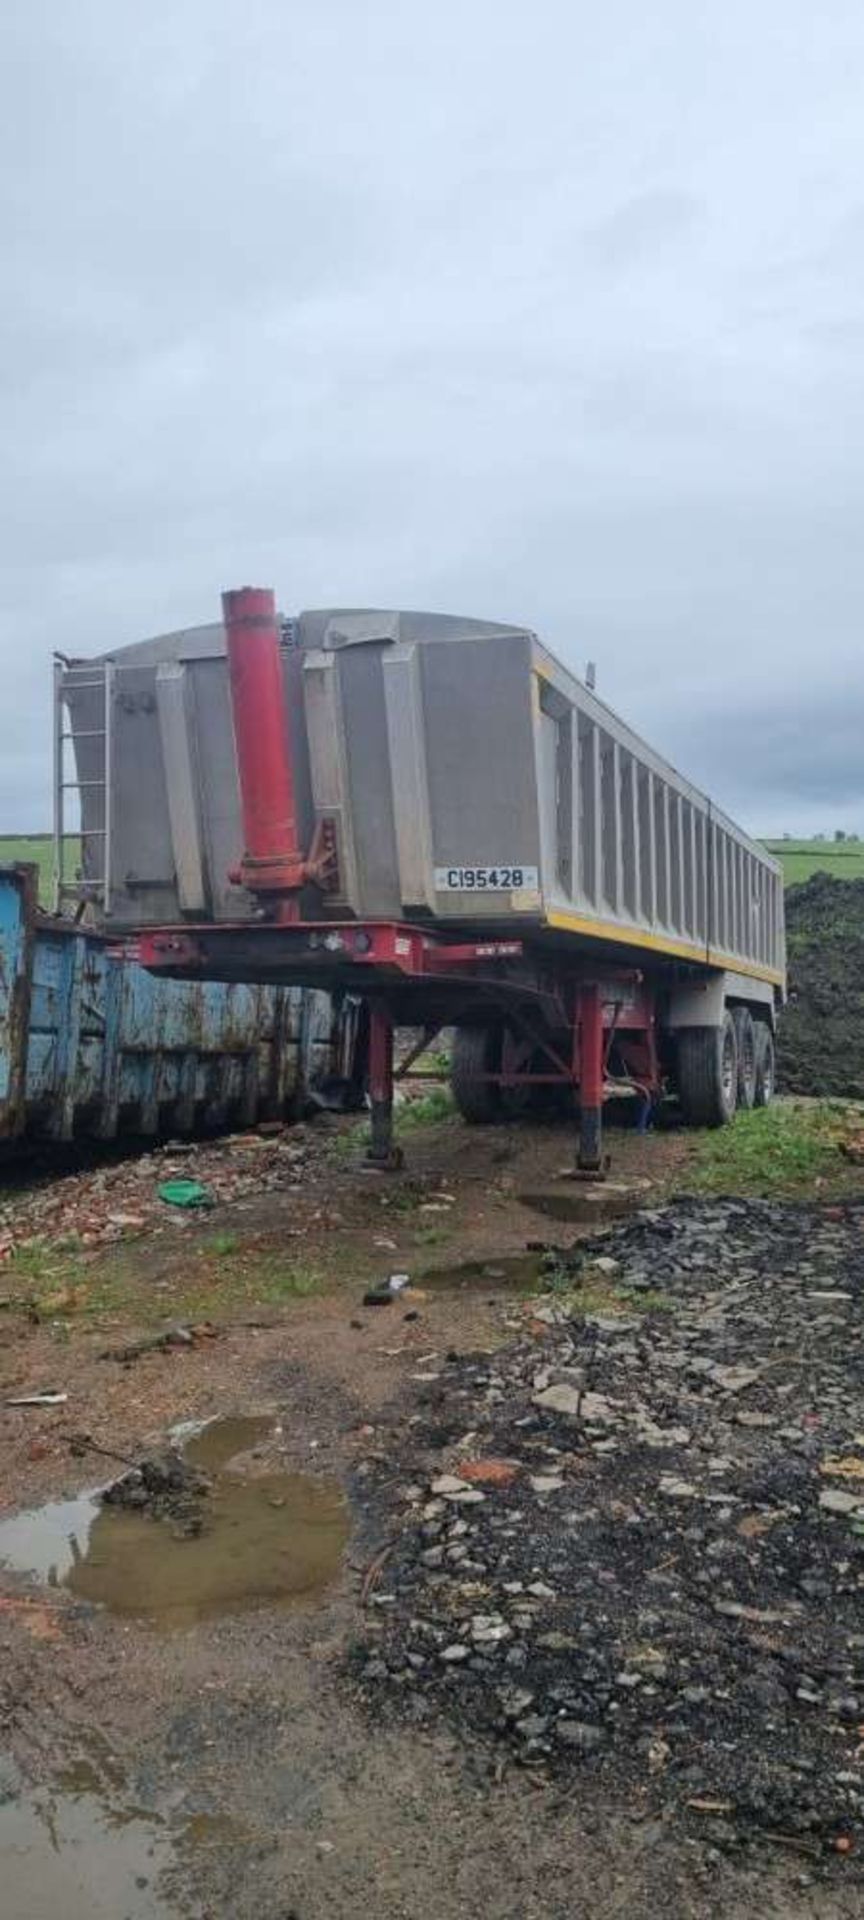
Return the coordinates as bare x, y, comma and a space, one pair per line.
91, 1045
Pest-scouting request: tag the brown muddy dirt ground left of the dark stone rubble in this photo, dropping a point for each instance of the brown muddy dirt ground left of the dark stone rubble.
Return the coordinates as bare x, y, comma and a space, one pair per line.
226, 1767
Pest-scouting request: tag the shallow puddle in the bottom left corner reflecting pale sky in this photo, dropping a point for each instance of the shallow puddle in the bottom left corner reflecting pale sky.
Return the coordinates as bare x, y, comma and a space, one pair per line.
84, 1846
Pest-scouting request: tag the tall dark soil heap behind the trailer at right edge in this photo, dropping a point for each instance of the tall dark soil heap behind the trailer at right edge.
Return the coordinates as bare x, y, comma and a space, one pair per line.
823, 1034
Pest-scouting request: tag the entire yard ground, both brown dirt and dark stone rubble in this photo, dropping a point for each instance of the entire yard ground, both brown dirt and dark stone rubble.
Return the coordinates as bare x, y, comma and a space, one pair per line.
254, 1762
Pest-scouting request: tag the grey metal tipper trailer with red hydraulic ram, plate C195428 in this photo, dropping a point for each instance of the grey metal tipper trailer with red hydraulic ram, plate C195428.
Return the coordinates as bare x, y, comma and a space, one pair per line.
437, 815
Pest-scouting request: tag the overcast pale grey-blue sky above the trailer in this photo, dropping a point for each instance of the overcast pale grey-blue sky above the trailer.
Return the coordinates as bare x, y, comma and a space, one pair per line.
550, 314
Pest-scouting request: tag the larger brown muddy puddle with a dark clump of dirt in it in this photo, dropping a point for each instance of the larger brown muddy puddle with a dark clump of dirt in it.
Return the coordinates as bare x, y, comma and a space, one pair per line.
268, 1539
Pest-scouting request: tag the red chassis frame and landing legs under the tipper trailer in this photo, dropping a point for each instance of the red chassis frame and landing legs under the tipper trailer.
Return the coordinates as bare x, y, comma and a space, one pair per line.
564, 1022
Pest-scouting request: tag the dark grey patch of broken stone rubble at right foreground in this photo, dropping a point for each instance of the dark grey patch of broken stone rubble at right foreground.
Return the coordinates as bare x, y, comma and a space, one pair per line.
633, 1548
